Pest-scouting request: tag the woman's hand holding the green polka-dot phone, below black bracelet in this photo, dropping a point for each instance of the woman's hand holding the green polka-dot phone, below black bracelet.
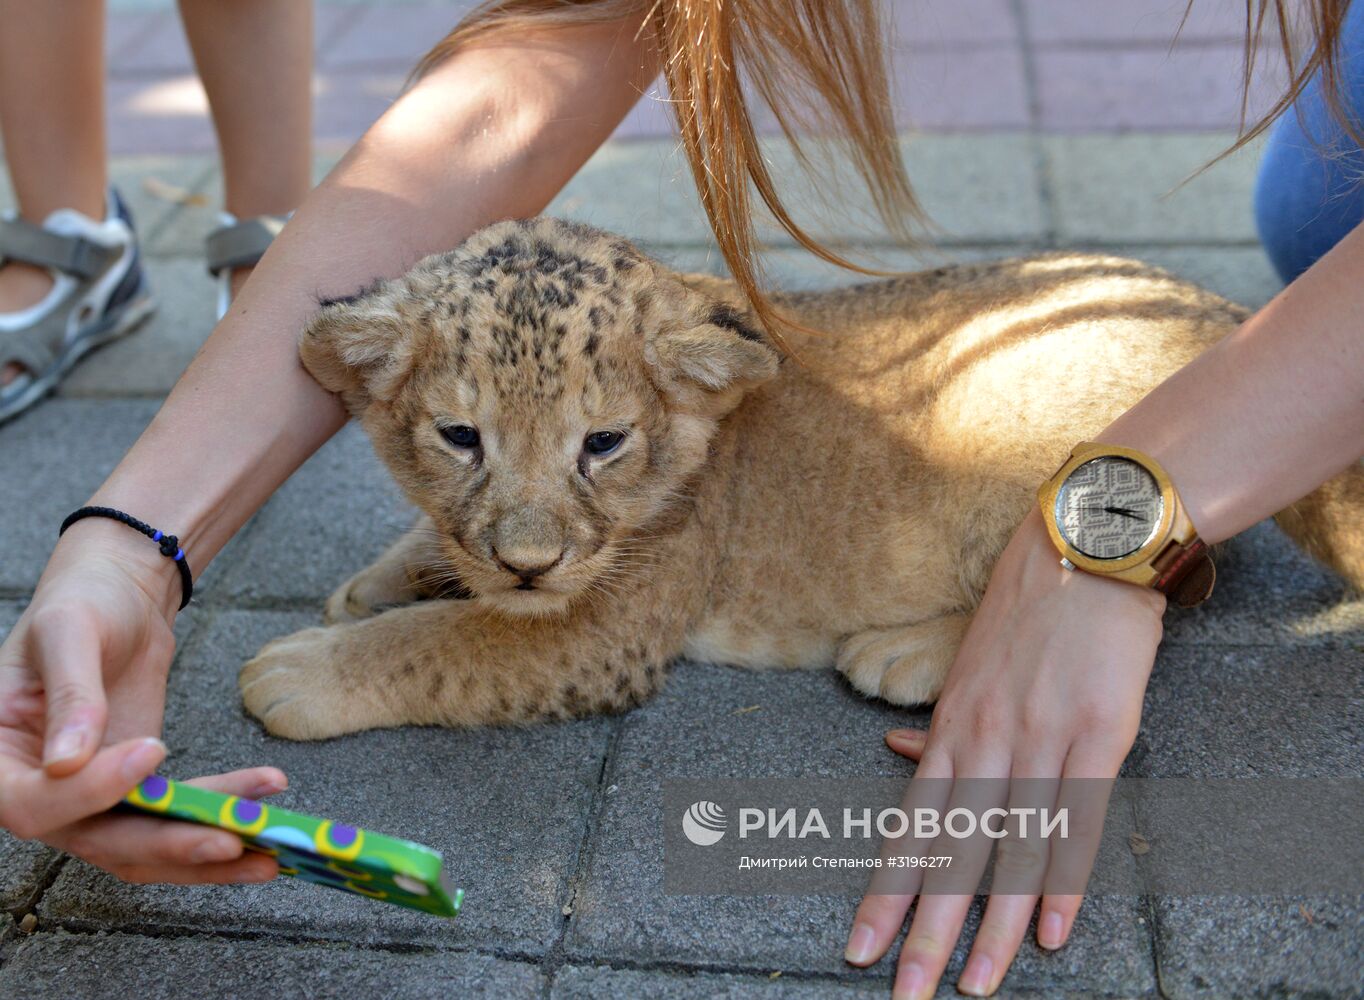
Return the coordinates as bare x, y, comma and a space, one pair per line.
83, 690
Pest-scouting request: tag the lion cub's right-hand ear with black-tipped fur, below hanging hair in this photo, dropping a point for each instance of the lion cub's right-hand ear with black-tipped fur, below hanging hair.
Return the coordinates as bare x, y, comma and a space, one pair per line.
715, 362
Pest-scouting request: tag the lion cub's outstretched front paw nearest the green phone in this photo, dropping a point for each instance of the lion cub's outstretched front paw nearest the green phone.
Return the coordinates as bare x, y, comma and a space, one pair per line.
294, 688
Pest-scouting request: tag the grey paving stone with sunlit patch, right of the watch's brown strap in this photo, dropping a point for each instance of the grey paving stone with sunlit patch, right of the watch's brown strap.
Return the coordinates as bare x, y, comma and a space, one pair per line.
1269, 593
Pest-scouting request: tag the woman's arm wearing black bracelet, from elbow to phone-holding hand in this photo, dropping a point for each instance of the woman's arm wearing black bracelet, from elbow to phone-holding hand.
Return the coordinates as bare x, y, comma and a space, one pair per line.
493, 133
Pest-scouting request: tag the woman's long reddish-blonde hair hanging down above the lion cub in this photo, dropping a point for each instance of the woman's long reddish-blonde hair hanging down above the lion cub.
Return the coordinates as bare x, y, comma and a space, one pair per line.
820, 69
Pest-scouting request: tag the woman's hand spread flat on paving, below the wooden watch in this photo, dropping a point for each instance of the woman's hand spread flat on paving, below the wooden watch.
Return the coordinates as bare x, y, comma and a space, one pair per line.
1048, 686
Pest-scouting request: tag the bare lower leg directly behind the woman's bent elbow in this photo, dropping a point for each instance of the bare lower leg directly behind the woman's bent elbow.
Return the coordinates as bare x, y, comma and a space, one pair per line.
256, 61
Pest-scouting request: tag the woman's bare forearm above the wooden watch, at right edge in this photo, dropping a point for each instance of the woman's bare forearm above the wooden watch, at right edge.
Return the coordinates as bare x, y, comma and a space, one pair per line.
1271, 413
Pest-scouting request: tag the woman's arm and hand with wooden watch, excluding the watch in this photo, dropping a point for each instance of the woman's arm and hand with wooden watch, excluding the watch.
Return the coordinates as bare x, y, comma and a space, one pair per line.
1051, 677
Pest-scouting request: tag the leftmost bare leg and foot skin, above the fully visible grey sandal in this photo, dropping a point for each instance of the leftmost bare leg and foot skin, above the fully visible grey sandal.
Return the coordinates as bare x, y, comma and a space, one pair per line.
53, 121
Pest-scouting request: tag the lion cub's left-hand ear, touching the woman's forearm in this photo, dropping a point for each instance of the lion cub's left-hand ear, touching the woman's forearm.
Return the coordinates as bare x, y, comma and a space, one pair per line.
362, 347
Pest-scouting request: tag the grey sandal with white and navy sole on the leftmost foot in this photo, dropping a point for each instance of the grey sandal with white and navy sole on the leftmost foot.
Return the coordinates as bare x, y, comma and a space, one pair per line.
99, 294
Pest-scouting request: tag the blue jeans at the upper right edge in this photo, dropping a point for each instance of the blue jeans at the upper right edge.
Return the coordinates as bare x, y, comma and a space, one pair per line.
1310, 192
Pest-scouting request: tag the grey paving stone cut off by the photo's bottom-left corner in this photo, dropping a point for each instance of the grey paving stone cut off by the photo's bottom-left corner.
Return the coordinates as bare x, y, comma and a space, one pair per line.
55, 967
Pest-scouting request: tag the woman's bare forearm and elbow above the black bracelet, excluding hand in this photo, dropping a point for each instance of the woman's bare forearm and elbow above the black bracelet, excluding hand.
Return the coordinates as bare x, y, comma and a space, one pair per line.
493, 133
